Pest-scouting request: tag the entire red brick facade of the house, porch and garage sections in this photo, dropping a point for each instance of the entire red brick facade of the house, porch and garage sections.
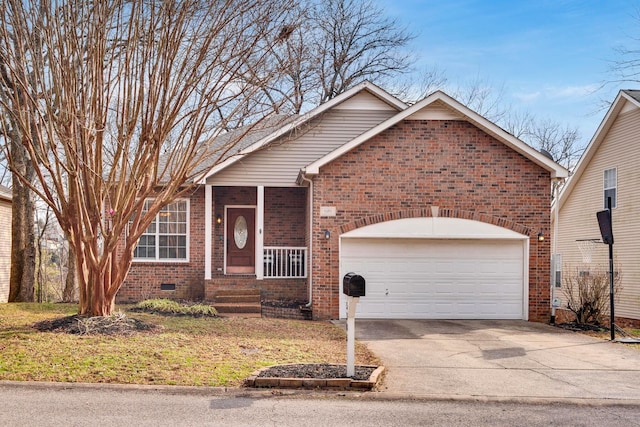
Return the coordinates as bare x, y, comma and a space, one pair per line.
400, 173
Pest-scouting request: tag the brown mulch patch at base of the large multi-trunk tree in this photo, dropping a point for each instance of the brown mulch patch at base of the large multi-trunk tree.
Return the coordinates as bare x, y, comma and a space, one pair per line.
117, 324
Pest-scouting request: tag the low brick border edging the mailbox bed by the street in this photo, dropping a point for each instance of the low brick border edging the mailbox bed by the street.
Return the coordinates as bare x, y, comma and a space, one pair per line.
256, 381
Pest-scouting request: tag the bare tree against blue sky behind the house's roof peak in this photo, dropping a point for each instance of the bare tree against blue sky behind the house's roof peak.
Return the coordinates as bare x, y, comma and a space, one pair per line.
329, 46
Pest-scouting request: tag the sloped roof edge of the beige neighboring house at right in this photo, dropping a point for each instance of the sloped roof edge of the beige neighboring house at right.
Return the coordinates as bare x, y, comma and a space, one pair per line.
625, 99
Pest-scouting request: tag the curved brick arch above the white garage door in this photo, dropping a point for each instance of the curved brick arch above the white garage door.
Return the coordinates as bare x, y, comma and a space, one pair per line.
442, 213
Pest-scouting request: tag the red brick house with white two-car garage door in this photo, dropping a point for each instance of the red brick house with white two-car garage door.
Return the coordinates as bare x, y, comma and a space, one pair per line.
432, 204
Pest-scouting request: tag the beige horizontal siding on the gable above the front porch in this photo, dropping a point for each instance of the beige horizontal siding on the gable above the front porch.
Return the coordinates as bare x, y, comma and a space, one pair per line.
279, 164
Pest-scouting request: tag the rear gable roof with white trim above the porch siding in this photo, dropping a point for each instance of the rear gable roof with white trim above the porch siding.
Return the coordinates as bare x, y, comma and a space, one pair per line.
260, 139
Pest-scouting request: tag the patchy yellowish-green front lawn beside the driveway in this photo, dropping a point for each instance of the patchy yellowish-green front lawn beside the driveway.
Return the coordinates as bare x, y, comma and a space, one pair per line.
183, 351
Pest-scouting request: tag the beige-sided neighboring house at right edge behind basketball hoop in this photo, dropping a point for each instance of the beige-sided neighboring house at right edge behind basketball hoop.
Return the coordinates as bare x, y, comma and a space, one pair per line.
607, 168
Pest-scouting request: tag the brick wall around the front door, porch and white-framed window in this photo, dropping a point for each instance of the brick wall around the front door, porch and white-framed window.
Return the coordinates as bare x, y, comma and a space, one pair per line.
284, 226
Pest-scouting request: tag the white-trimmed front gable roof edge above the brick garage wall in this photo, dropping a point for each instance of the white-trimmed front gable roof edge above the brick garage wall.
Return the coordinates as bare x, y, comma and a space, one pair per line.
453, 109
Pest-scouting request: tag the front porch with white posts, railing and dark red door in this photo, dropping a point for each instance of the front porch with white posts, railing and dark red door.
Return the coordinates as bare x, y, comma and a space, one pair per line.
257, 239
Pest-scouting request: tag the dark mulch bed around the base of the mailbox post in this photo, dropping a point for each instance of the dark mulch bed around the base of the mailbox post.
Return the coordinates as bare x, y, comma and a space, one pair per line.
318, 371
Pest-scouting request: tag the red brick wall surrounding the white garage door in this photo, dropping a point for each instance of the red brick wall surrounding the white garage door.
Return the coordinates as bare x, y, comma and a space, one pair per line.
418, 164
